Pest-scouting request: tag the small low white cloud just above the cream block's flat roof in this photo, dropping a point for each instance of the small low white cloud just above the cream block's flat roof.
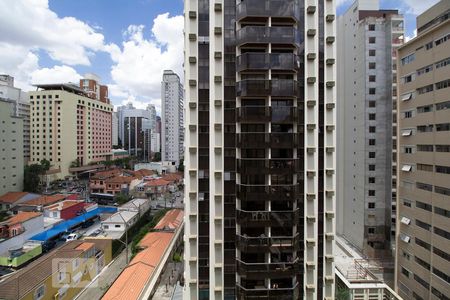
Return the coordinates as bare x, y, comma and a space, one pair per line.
57, 74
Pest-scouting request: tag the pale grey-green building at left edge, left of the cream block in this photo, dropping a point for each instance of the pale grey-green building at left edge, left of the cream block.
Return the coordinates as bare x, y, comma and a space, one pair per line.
11, 149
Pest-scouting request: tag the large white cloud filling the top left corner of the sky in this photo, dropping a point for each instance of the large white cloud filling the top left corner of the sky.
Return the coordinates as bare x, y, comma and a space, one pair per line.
31, 24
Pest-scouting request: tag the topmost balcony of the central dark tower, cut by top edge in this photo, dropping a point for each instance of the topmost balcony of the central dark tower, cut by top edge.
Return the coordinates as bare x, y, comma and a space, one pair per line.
272, 8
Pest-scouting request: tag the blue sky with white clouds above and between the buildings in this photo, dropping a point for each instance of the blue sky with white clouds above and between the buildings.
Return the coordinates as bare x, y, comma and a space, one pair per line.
128, 43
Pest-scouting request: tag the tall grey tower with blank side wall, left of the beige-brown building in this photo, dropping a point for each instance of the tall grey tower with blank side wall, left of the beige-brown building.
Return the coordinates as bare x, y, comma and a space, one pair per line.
367, 41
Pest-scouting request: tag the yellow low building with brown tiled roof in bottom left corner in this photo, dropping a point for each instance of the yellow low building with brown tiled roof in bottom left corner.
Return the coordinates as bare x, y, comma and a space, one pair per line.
61, 274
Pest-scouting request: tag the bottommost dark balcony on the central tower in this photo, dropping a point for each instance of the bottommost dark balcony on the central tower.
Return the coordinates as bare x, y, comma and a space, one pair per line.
264, 293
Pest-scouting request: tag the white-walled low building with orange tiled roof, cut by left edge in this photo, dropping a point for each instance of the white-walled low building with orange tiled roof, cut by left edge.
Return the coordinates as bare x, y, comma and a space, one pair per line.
16, 230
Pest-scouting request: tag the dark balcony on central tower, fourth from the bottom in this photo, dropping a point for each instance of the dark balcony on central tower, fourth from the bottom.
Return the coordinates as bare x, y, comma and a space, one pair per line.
267, 218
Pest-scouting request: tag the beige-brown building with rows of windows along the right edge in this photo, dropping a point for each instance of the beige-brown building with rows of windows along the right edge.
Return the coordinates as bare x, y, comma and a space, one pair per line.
423, 230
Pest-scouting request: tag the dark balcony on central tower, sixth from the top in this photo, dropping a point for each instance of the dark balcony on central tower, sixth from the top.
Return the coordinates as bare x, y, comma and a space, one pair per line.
267, 140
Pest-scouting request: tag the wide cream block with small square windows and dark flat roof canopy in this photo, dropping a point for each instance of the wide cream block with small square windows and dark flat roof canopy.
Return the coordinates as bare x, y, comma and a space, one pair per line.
69, 124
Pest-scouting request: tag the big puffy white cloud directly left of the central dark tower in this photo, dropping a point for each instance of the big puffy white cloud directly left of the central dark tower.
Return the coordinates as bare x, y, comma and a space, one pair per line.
139, 63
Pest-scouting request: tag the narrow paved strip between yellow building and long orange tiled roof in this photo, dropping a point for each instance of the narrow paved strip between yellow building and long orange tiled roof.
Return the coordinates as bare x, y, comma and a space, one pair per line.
103, 281
